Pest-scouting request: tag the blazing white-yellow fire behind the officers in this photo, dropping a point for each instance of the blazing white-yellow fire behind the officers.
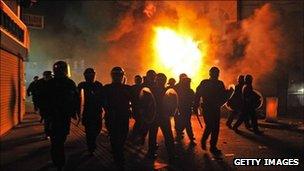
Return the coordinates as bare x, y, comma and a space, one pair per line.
177, 53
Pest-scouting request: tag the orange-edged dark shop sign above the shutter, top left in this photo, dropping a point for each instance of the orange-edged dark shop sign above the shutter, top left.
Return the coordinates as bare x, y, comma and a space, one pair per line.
12, 26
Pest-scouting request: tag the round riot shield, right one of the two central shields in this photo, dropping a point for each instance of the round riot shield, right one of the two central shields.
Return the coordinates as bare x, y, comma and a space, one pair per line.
170, 102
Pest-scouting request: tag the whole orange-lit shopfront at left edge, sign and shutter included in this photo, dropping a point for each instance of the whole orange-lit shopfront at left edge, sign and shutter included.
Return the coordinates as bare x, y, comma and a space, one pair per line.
14, 51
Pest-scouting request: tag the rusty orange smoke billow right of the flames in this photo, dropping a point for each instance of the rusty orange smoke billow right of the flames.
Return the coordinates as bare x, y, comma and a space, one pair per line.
261, 41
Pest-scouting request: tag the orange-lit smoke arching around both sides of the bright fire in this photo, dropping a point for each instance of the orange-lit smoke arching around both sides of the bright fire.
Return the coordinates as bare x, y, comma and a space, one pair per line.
252, 46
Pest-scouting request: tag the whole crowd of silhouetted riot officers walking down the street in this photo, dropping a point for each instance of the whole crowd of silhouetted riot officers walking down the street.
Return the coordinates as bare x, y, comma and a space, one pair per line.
58, 99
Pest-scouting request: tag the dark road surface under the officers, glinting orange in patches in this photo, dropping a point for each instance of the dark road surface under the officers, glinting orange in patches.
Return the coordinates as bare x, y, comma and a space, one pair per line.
25, 148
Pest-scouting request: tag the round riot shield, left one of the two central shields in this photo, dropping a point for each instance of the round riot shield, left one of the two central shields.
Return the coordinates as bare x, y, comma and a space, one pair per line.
146, 105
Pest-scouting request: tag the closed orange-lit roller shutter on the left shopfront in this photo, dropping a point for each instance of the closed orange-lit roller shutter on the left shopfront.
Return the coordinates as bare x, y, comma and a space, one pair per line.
10, 90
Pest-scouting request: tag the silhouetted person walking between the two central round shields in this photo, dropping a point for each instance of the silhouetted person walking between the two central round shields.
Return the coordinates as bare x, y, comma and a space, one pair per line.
162, 120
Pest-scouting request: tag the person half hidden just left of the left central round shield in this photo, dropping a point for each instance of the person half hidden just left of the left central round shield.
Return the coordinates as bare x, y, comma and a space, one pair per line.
136, 88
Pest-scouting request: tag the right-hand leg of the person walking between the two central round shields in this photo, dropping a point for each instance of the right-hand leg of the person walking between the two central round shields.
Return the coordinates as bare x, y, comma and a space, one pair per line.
165, 126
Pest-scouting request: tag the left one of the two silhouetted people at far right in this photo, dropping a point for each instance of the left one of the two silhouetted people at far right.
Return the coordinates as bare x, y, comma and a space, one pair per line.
236, 103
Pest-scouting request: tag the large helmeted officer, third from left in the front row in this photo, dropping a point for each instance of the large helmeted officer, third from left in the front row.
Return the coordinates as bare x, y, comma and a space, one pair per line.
118, 97
